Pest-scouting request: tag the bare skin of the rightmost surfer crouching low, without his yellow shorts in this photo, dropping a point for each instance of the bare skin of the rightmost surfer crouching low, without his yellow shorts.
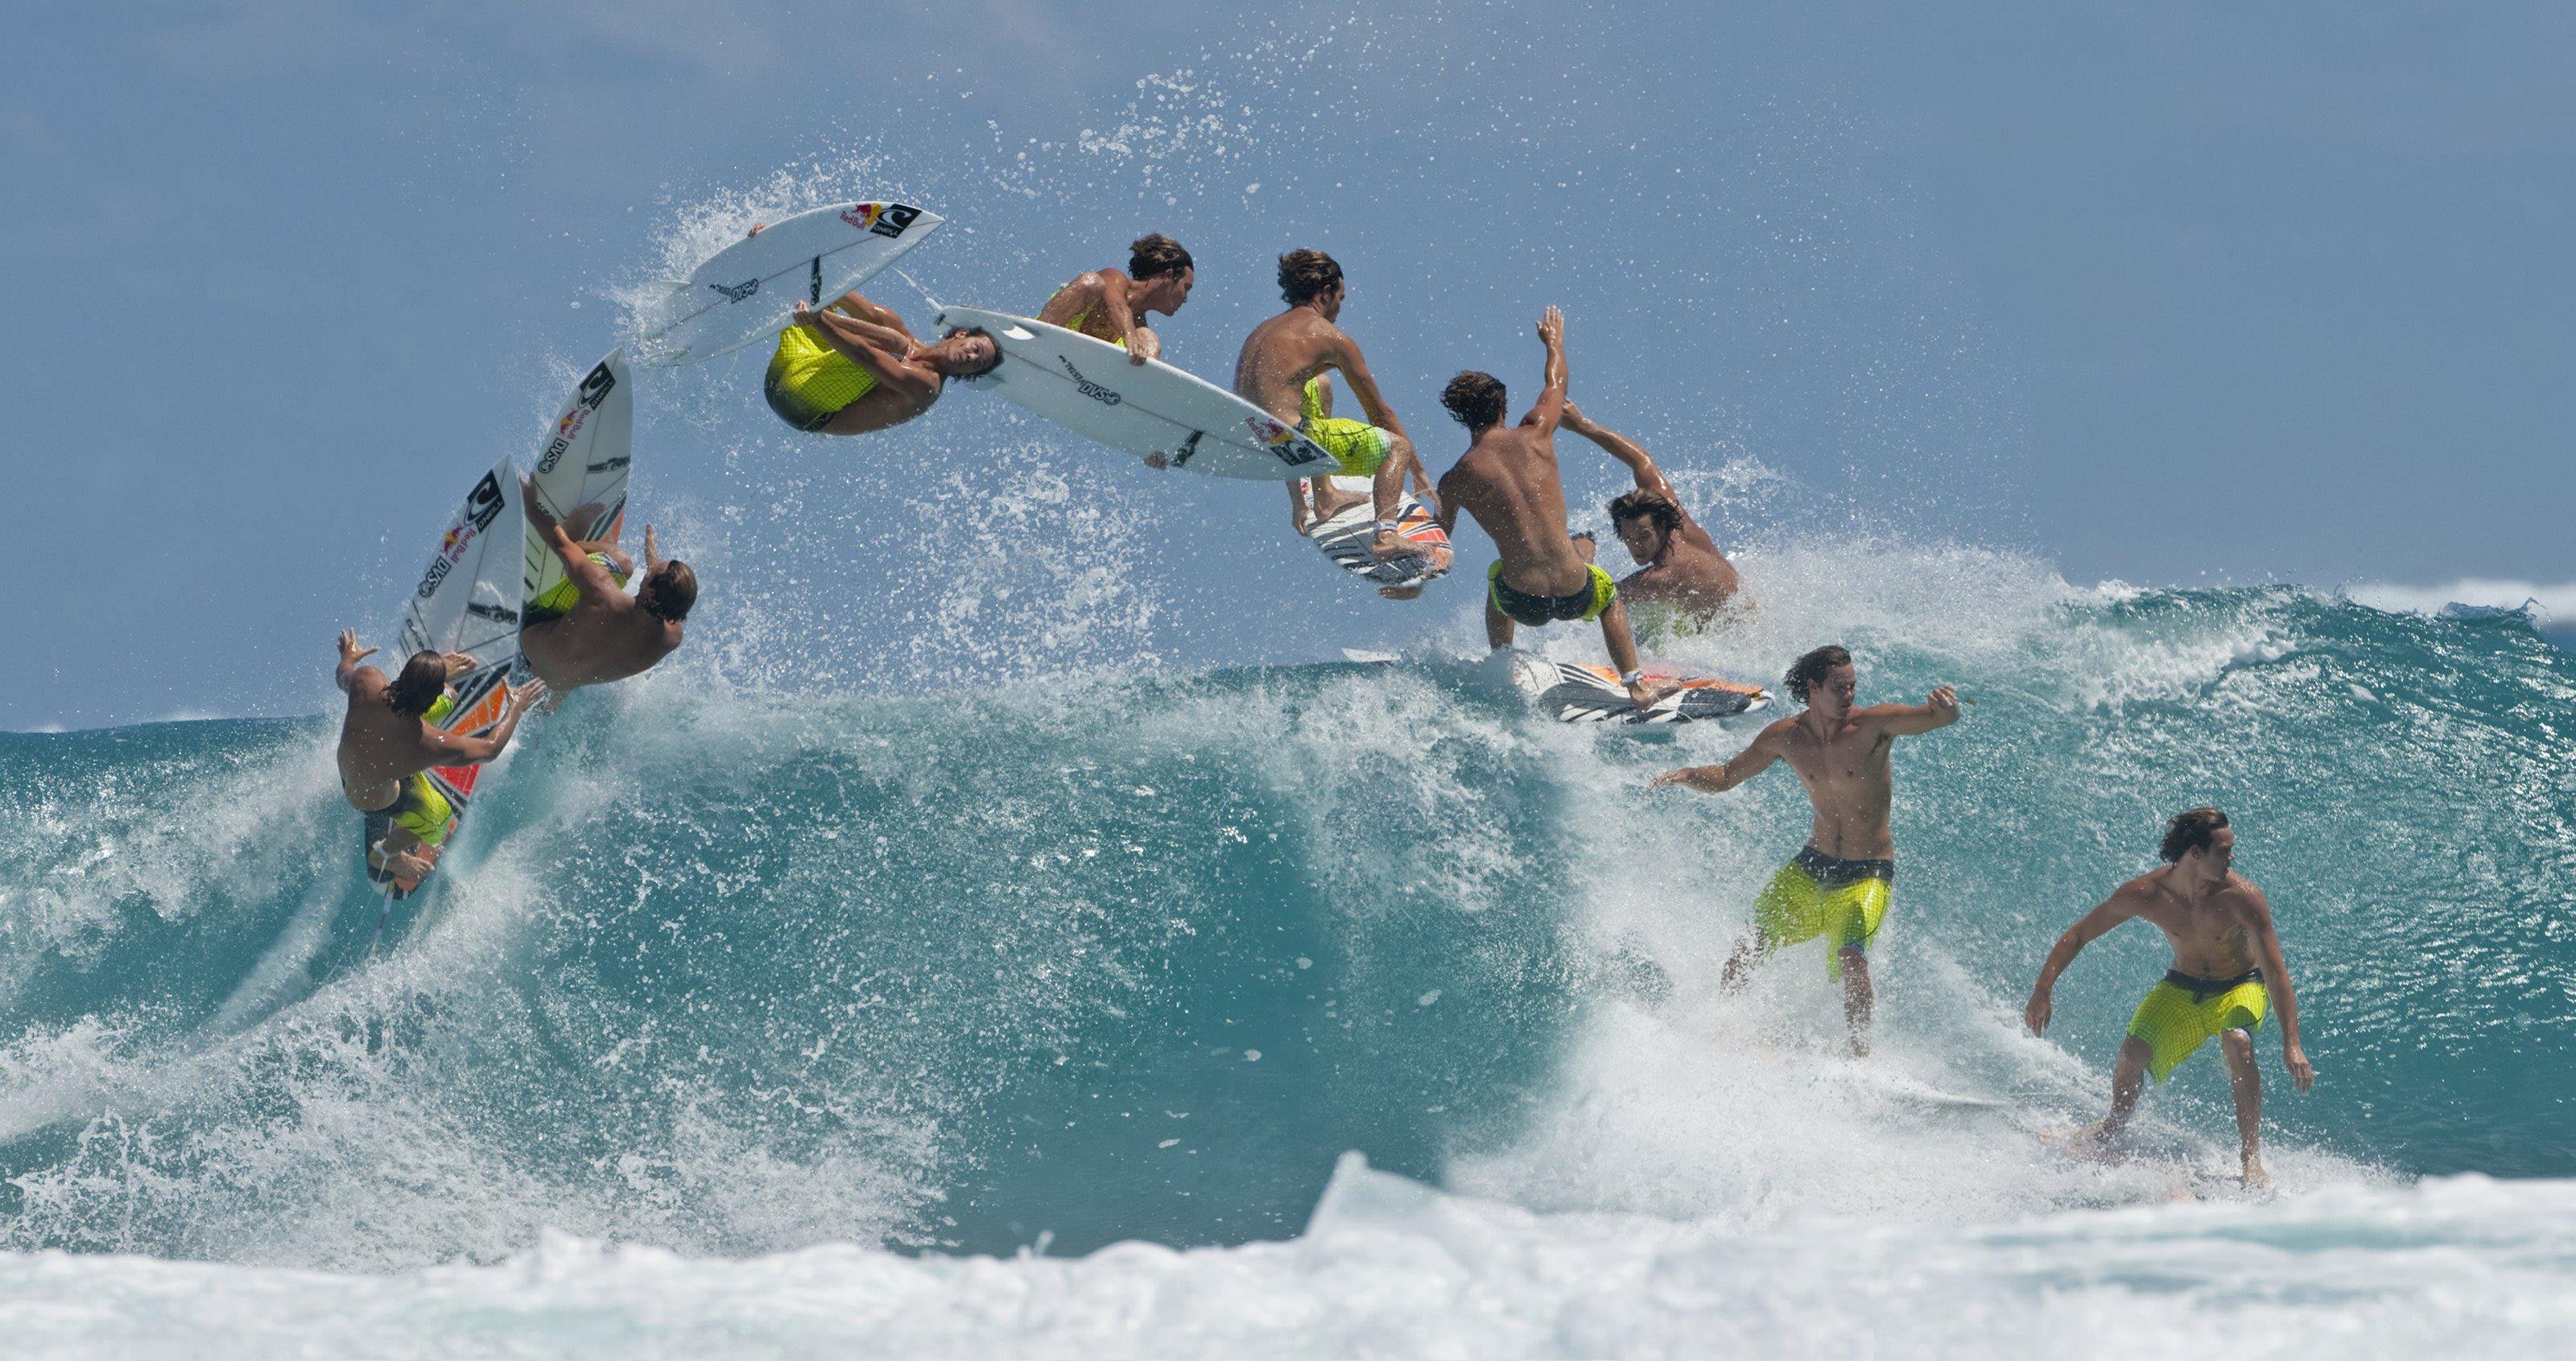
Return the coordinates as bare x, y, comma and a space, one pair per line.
2219, 927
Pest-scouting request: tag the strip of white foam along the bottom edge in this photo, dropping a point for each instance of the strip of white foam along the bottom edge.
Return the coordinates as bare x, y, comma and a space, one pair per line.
1390, 1267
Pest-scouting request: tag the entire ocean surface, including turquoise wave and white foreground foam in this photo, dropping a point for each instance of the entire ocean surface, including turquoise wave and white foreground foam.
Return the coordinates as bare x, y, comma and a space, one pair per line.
1307, 1009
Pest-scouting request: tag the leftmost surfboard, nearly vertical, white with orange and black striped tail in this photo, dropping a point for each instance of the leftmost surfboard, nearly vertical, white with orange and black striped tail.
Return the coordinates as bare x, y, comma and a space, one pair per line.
468, 602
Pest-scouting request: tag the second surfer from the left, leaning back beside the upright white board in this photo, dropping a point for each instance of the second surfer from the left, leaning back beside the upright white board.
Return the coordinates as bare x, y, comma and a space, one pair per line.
601, 633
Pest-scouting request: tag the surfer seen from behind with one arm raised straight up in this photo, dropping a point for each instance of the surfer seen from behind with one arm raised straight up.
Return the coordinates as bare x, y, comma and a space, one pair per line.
1508, 483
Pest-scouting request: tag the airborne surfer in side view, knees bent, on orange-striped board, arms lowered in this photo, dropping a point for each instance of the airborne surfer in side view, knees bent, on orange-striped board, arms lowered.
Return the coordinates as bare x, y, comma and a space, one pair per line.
1279, 372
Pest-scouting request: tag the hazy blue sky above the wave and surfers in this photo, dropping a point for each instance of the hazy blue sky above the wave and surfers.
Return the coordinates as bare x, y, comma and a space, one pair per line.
2157, 293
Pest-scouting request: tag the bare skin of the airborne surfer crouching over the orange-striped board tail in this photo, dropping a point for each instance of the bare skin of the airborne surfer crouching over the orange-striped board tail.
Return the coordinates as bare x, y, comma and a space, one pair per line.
1271, 372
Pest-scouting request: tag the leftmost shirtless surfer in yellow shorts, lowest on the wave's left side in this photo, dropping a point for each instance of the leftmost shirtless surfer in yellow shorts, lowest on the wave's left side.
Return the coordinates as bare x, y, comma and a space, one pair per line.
388, 749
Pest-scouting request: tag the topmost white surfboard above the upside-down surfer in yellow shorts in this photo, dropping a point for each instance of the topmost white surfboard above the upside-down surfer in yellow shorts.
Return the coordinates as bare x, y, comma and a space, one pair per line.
748, 290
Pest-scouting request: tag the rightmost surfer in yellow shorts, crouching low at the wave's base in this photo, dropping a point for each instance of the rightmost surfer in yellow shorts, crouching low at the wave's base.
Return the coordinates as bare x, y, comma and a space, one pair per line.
2224, 981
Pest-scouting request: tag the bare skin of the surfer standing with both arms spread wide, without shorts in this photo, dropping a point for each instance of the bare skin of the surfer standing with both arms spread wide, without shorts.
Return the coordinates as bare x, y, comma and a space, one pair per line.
1841, 757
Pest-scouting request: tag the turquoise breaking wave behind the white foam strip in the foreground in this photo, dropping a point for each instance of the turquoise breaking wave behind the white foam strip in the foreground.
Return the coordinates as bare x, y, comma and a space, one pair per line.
735, 970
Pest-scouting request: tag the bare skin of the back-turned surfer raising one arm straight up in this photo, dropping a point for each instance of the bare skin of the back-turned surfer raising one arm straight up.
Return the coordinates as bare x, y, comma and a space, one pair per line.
1511, 486
